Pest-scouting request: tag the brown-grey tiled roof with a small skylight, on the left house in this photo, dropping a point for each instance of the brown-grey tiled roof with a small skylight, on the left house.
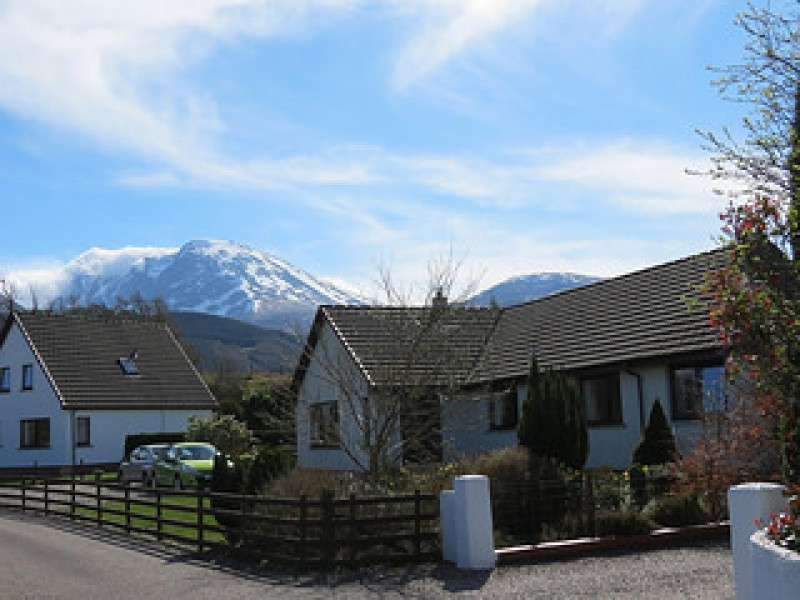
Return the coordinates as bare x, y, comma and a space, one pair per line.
81, 355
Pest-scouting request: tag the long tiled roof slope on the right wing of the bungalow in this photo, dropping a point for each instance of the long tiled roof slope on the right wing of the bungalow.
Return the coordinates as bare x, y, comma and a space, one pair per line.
642, 315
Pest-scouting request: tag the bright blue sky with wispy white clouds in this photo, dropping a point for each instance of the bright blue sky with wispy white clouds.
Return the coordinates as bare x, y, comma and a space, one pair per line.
348, 135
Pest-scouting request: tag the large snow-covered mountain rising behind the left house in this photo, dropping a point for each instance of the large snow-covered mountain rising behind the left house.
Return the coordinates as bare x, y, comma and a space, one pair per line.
214, 277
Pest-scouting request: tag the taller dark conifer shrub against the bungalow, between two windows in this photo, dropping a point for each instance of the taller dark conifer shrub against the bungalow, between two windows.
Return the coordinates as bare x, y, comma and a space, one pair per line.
553, 424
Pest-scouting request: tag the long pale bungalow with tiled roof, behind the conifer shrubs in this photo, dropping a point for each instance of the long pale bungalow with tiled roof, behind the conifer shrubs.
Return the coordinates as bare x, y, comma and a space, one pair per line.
626, 341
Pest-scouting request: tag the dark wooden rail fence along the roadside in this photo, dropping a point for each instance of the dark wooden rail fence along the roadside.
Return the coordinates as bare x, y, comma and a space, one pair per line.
307, 532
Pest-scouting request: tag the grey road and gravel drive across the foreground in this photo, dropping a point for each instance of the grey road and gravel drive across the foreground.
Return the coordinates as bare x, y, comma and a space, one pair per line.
51, 558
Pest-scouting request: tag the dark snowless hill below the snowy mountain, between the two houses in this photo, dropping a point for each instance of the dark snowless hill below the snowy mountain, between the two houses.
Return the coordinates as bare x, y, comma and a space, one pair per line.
221, 342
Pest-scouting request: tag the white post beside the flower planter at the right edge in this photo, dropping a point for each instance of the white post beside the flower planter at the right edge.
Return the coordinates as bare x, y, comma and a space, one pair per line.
748, 503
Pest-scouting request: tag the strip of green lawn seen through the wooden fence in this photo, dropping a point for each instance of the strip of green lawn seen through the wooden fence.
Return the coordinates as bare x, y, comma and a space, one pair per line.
188, 531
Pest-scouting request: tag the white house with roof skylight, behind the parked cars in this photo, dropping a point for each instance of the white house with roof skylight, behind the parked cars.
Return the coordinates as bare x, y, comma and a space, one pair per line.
72, 387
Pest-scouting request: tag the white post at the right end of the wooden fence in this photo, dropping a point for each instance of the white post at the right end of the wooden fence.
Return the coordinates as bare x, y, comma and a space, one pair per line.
473, 519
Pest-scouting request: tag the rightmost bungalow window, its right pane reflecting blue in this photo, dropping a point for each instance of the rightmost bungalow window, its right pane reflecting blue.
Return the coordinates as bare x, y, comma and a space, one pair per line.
698, 389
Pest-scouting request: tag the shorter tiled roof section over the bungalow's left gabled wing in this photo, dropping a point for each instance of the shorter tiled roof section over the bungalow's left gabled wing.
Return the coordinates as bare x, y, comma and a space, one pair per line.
395, 345
